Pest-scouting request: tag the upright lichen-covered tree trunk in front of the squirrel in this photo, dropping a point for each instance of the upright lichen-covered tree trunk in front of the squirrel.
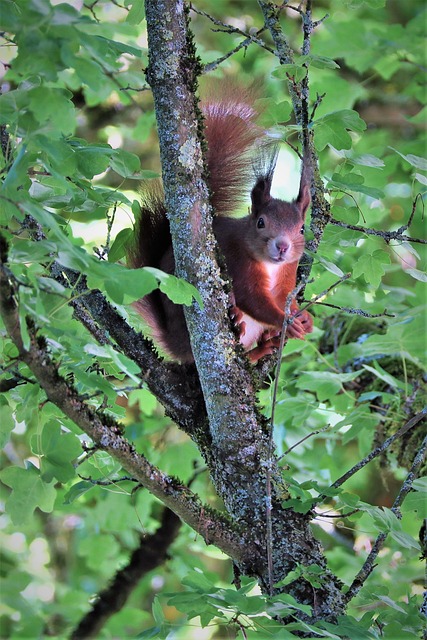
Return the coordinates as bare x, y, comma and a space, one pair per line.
240, 463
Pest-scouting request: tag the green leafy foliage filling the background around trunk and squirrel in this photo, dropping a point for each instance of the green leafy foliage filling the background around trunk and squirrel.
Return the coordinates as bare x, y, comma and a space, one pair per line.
79, 128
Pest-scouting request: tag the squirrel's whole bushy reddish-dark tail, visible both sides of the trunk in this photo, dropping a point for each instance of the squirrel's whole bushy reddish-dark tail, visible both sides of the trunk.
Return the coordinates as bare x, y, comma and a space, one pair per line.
231, 135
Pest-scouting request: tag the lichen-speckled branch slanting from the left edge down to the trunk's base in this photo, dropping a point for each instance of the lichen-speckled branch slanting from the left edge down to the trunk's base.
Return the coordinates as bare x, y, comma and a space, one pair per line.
107, 434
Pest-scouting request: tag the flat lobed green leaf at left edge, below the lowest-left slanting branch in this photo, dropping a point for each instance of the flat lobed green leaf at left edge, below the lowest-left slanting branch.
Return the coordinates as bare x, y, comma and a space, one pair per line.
29, 492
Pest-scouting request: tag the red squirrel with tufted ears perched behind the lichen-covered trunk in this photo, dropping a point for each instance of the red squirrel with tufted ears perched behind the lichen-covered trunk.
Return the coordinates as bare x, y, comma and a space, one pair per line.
261, 250
